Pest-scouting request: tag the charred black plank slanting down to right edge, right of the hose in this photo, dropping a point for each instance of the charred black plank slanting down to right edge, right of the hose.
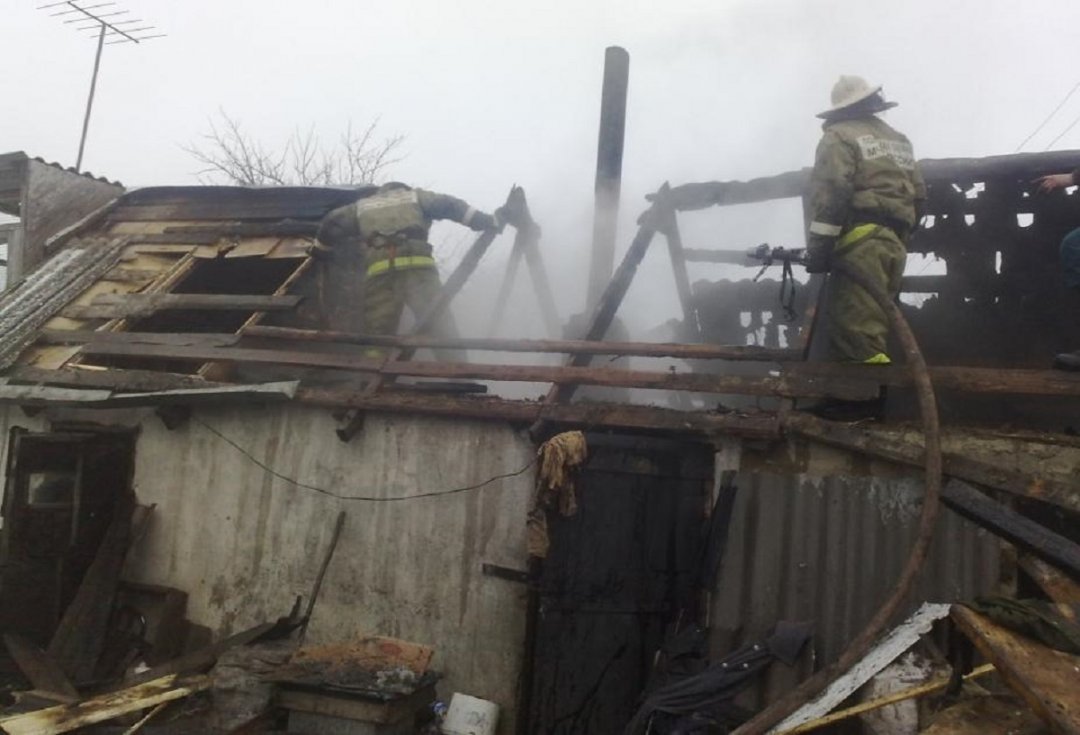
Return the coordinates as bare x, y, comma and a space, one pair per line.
1011, 526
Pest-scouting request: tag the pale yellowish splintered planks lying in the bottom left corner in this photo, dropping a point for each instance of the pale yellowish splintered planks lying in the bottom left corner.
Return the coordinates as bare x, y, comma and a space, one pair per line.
66, 718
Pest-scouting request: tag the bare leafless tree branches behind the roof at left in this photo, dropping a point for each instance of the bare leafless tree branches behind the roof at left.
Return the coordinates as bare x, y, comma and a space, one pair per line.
231, 154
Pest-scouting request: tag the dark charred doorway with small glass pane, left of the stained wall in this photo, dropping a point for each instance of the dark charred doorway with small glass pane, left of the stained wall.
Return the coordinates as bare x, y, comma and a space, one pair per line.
59, 499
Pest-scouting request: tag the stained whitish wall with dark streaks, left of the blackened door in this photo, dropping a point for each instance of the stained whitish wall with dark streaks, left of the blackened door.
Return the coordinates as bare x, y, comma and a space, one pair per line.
244, 543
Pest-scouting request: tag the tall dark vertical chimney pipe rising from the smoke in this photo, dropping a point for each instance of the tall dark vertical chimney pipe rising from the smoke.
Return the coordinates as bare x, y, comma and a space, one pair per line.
609, 170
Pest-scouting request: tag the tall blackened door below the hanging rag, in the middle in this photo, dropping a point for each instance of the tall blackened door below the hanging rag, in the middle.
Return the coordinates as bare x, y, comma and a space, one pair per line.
620, 574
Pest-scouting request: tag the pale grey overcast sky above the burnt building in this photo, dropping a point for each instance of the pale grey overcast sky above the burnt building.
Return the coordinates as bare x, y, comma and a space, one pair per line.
495, 93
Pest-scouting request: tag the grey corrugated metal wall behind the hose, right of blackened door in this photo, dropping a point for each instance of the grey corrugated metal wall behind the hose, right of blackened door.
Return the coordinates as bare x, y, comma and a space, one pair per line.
830, 550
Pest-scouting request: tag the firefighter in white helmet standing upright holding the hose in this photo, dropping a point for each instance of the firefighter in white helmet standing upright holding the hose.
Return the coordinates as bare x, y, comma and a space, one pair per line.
866, 192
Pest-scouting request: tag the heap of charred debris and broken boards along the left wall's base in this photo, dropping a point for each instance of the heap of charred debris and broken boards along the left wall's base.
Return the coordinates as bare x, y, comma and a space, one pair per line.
126, 659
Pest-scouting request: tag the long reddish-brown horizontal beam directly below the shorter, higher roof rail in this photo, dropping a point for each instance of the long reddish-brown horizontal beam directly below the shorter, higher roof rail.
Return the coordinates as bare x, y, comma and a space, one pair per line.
767, 386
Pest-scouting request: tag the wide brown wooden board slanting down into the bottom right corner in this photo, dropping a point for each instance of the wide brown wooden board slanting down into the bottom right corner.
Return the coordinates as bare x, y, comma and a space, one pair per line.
1045, 678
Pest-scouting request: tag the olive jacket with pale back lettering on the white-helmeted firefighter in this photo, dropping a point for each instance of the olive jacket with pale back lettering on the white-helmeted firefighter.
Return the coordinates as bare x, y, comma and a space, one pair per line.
865, 173
